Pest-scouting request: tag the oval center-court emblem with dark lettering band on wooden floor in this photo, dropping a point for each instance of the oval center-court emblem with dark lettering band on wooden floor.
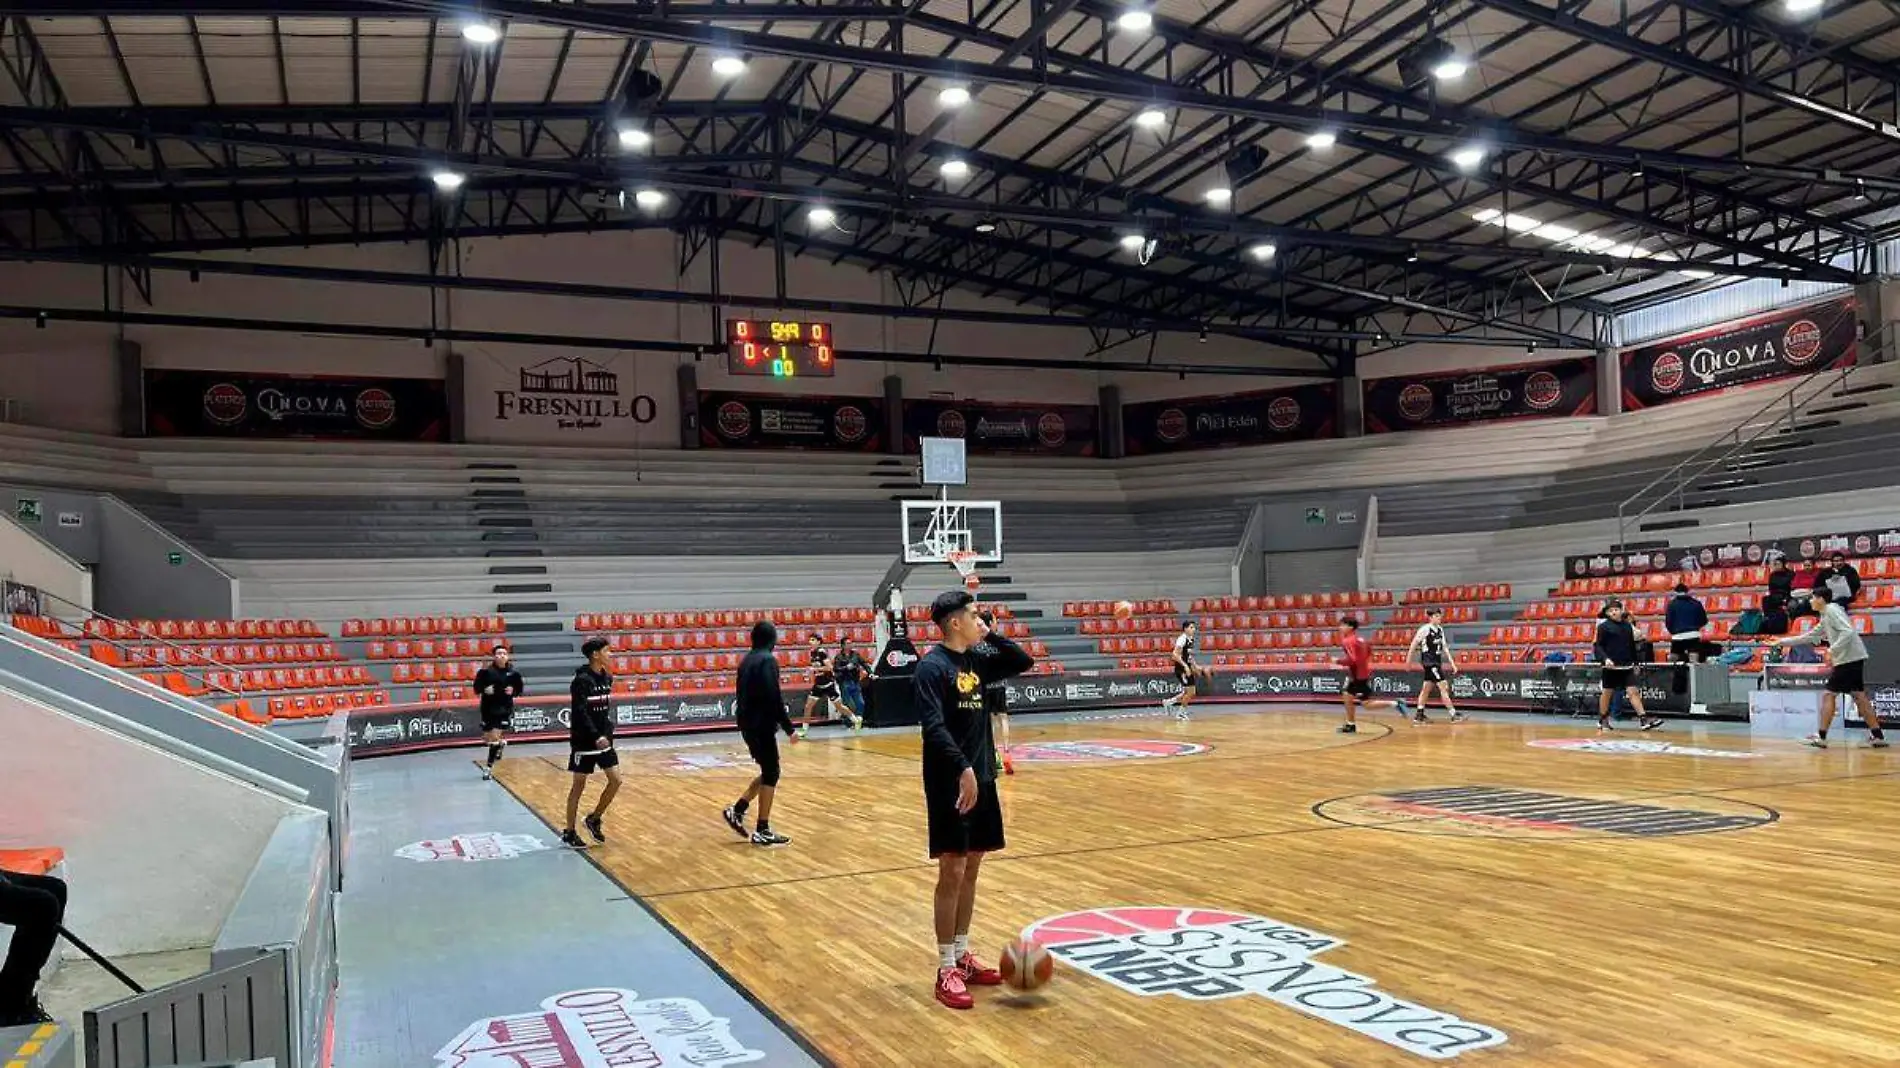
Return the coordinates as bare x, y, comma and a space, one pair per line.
1506, 812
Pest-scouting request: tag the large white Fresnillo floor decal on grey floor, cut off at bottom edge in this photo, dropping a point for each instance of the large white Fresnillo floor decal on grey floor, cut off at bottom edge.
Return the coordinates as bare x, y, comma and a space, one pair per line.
601, 1029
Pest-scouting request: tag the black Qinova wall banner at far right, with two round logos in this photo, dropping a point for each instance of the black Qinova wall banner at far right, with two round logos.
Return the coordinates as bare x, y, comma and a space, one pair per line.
1739, 354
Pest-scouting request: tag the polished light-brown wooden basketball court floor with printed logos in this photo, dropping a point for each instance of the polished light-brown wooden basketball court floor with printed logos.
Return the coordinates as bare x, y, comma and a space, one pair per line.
1278, 894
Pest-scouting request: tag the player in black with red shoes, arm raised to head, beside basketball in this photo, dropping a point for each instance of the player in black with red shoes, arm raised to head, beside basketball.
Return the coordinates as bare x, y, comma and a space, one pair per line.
966, 816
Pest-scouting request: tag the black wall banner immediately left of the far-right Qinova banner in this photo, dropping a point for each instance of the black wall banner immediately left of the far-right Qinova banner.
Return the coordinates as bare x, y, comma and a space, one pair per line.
1470, 398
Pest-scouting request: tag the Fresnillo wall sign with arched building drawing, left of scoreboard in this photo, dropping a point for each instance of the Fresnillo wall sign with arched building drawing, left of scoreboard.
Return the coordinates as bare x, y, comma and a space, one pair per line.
571, 400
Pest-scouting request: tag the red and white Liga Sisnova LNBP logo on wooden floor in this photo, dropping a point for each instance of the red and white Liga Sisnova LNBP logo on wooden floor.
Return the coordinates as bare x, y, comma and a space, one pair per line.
1206, 955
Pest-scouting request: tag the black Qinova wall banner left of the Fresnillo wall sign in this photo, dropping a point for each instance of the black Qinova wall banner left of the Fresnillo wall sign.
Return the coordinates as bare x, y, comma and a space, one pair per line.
248, 404
